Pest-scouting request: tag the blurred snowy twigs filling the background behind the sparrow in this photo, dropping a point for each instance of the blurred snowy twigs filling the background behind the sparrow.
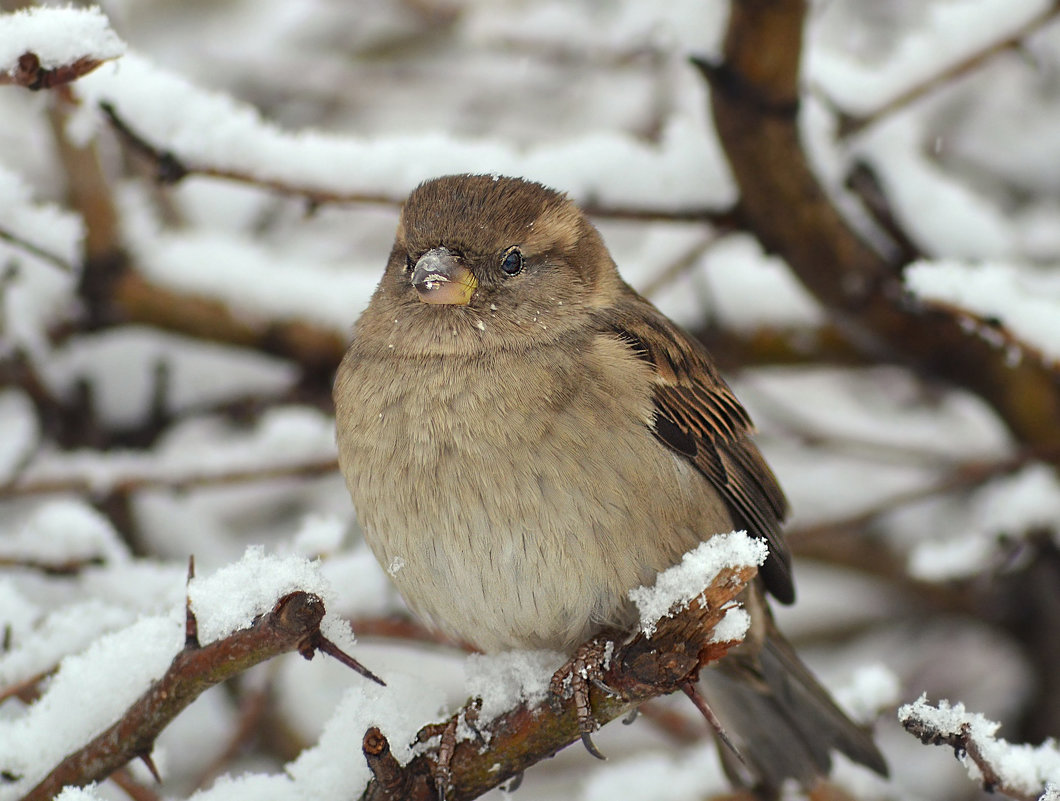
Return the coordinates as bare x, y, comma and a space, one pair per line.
167, 350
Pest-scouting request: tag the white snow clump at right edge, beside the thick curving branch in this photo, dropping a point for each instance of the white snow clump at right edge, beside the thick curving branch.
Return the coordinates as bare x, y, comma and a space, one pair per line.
1028, 304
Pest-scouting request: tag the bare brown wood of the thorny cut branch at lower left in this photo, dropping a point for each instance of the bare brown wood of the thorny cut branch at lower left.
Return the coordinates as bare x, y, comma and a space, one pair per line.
294, 625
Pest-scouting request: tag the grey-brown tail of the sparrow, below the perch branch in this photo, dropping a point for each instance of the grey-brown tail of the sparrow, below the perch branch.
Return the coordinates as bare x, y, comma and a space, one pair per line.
784, 723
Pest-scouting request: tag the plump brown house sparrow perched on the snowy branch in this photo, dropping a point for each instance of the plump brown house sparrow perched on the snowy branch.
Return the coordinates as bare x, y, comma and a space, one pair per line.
526, 439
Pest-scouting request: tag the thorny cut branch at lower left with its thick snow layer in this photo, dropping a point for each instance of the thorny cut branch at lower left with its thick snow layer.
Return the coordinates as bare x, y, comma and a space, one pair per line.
249, 613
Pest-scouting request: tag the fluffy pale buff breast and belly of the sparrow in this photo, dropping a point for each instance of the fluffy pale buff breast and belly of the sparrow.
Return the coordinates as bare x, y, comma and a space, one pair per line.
523, 497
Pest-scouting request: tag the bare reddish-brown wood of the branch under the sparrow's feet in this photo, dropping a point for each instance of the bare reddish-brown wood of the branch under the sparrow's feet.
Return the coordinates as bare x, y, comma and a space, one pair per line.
643, 669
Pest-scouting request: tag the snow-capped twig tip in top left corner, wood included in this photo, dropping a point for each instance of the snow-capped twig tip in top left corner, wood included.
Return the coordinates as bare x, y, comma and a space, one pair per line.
44, 48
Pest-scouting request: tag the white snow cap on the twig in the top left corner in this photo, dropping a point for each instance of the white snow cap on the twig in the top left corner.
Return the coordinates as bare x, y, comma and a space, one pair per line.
58, 37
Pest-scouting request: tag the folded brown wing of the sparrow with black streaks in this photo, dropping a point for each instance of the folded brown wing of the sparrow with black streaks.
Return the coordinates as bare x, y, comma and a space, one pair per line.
698, 417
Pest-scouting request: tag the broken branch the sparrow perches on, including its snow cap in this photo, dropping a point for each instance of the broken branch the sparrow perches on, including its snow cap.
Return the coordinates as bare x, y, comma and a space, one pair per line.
693, 630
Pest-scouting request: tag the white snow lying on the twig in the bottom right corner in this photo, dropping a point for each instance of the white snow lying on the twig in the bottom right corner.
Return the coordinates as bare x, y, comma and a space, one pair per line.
1023, 769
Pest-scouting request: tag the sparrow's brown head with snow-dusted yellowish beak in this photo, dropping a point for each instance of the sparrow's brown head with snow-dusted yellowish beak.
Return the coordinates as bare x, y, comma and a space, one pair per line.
483, 262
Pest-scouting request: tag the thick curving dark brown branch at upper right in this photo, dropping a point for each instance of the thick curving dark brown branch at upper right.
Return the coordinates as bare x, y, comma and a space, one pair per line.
755, 98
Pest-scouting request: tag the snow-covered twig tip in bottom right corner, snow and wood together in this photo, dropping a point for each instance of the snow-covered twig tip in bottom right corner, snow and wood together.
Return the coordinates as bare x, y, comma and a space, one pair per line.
1021, 772
